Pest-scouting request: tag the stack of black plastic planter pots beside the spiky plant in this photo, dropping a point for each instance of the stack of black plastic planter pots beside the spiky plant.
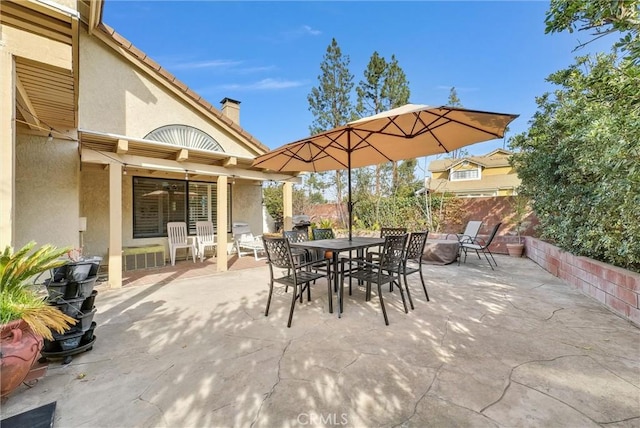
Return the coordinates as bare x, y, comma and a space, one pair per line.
71, 291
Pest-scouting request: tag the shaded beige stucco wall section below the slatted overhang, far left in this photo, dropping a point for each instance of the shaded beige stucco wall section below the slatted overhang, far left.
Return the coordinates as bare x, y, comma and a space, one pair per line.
47, 207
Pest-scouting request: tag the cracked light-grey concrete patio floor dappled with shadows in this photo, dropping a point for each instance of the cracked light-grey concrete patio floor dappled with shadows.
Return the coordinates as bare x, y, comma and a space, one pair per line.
510, 347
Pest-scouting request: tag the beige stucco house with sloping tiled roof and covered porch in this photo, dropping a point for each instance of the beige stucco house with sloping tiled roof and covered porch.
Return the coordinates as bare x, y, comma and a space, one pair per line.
94, 132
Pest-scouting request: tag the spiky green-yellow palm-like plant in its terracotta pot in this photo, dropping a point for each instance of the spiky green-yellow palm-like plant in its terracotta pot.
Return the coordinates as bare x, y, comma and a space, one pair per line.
25, 316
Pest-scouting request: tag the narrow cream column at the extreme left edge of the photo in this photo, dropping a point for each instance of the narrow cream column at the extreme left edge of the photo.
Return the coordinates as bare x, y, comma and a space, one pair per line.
8, 150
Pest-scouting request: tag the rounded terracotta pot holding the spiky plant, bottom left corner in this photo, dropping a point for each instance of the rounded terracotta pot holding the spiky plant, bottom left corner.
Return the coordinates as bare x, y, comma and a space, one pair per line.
19, 349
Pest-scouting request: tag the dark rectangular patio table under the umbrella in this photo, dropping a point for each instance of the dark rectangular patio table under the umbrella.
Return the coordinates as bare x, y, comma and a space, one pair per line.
336, 246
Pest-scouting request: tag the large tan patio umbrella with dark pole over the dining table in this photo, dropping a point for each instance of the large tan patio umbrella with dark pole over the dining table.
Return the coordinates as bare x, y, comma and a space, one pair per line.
406, 132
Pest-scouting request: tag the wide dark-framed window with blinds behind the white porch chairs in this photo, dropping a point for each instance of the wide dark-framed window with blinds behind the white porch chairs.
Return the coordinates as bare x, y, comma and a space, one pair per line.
159, 201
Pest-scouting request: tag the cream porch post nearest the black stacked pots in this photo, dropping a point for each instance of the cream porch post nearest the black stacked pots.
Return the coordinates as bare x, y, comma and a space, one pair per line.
115, 225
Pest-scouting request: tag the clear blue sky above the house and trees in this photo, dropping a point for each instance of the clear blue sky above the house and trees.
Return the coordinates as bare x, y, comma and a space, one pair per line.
268, 54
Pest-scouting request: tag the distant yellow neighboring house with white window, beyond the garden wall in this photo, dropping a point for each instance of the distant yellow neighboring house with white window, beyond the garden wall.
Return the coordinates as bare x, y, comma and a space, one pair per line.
474, 176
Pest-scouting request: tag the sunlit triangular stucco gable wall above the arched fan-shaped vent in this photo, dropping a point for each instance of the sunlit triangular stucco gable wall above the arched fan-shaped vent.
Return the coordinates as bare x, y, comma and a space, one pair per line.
117, 98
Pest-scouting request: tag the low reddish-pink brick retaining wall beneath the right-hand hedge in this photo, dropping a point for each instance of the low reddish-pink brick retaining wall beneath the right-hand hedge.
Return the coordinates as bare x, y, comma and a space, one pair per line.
616, 288
